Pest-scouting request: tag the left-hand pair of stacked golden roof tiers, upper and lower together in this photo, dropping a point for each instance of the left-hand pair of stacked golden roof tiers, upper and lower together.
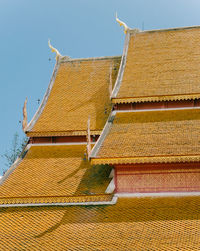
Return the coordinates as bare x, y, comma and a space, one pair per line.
61, 173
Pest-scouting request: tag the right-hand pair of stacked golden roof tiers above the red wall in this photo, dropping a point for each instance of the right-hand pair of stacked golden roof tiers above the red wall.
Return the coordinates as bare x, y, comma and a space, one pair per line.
158, 65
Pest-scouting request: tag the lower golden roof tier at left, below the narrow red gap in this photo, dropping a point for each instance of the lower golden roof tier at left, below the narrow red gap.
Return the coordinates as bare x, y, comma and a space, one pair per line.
54, 174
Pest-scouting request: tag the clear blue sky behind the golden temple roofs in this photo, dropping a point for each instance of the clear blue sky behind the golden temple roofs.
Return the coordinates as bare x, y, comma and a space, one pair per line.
78, 28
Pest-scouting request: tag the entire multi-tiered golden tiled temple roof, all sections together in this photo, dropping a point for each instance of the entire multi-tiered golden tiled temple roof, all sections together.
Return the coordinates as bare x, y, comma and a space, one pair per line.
155, 66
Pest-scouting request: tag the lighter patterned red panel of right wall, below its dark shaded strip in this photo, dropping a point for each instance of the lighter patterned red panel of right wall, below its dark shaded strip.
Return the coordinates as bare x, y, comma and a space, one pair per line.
158, 182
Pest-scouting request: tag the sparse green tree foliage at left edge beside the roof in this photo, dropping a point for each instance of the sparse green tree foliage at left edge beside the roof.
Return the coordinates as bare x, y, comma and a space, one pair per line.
15, 150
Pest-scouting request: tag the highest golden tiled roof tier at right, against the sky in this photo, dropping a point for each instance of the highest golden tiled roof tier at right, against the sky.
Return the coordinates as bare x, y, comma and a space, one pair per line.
159, 65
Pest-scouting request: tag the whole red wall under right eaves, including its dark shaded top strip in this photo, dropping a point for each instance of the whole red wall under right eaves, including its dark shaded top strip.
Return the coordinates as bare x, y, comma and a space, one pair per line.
157, 179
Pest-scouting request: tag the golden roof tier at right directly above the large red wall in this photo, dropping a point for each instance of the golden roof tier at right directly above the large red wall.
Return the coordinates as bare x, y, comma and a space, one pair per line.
149, 137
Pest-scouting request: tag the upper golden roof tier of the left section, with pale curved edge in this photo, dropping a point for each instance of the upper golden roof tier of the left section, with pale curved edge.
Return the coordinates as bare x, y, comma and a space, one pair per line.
78, 89
